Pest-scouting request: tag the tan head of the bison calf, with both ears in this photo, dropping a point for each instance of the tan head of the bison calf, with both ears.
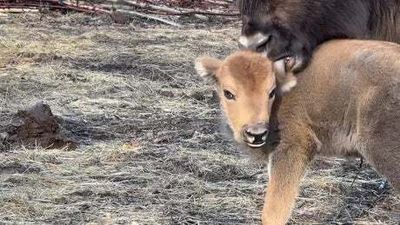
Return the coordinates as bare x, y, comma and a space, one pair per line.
248, 84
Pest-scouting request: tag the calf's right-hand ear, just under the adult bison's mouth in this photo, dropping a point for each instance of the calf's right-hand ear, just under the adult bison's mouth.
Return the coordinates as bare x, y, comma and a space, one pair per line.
283, 71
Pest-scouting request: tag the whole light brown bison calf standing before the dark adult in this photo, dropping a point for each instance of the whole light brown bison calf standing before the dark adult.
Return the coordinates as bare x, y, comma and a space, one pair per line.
346, 102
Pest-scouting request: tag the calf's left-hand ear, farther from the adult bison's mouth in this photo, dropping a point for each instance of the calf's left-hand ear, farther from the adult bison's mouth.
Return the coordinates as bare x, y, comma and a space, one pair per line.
207, 67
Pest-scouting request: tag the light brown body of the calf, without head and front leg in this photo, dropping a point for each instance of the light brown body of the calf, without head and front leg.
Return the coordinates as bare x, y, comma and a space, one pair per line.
349, 98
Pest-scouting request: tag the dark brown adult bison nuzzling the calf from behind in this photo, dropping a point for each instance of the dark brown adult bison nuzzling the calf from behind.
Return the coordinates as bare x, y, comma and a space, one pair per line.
282, 28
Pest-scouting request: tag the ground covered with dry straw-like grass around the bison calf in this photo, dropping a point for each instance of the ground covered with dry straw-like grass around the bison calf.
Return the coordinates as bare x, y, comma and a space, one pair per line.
151, 150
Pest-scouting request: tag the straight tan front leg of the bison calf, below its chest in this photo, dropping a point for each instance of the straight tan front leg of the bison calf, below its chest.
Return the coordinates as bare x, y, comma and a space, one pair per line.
286, 169
